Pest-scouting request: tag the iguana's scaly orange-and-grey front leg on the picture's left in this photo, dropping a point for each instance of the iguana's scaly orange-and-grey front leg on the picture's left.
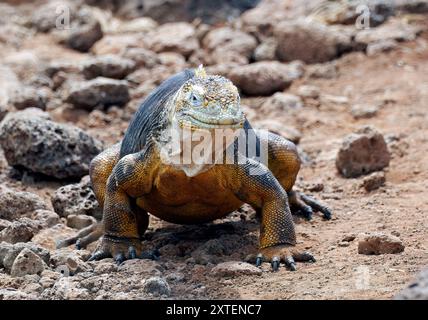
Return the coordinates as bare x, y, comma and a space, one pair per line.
130, 178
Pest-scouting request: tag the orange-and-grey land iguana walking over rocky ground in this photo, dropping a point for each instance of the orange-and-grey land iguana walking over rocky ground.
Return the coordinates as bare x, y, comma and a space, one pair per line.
136, 177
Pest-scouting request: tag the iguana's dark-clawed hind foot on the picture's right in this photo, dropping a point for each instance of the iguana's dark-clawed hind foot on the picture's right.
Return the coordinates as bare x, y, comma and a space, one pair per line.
306, 205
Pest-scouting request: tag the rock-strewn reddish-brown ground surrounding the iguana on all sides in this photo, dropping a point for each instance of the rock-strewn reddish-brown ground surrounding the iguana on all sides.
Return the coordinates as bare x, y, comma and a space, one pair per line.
353, 96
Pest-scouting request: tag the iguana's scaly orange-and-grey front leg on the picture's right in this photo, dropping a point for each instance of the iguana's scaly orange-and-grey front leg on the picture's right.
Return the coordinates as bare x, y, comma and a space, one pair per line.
253, 183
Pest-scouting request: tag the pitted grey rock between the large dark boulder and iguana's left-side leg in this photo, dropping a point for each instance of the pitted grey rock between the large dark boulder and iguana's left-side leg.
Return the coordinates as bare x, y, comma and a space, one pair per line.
76, 199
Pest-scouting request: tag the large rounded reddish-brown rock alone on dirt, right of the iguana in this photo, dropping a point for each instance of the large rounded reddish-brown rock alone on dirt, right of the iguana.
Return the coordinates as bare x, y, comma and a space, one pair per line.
362, 152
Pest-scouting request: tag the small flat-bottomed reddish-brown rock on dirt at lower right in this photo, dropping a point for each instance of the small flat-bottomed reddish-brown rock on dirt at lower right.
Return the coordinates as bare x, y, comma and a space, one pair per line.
379, 243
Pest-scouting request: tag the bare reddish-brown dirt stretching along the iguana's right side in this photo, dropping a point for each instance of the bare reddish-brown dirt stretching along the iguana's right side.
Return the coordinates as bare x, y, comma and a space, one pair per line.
400, 80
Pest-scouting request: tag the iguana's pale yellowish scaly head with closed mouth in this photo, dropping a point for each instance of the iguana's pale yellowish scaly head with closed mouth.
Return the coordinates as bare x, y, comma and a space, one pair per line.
208, 102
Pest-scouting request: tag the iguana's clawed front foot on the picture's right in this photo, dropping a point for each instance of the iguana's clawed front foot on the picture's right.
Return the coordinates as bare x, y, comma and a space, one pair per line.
287, 254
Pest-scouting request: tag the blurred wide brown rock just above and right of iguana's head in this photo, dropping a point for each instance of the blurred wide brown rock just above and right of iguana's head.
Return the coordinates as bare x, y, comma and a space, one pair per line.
265, 77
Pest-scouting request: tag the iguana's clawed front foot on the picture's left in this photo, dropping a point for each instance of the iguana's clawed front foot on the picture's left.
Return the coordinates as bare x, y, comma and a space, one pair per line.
121, 249
